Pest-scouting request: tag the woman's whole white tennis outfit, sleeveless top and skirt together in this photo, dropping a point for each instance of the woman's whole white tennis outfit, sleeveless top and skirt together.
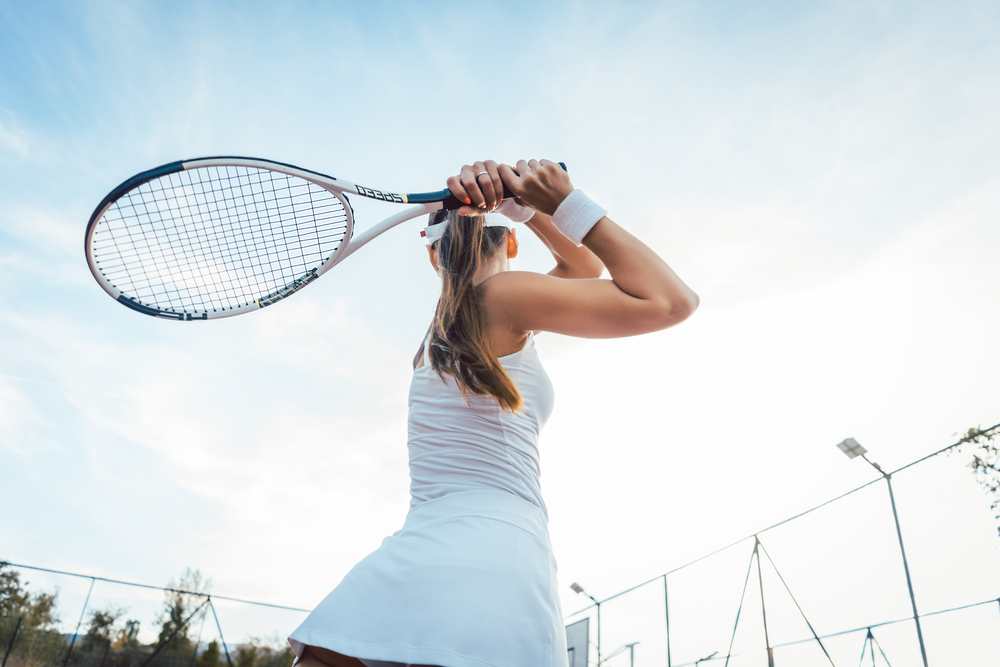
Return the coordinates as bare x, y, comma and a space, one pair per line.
470, 579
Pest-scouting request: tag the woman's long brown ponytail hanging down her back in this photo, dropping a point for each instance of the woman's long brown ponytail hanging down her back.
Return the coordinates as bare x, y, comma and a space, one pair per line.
459, 344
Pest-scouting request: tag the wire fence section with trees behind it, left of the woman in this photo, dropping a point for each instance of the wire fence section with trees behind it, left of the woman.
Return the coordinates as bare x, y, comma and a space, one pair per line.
126, 624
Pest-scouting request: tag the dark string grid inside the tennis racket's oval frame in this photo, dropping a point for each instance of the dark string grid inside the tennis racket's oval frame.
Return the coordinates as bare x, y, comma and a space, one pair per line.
216, 238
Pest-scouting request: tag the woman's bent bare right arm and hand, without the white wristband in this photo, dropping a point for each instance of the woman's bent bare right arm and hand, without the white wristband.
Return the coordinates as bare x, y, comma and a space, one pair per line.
643, 295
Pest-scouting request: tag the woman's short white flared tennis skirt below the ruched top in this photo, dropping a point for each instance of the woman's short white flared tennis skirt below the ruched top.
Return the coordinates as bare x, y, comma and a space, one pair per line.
469, 581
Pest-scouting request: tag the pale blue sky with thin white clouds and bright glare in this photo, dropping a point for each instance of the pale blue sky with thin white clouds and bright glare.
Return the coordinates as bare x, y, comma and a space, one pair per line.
825, 175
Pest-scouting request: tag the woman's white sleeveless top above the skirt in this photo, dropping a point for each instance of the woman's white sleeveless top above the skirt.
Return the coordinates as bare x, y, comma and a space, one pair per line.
456, 445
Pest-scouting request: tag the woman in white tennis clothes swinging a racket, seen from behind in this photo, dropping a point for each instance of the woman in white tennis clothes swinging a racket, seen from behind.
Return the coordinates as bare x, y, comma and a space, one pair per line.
470, 580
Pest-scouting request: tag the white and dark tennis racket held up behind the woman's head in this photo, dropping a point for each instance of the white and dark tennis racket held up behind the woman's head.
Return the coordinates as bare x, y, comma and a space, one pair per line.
215, 237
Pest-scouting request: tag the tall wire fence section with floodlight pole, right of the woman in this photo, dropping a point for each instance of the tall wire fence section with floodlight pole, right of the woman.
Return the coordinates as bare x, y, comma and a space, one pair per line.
878, 573
